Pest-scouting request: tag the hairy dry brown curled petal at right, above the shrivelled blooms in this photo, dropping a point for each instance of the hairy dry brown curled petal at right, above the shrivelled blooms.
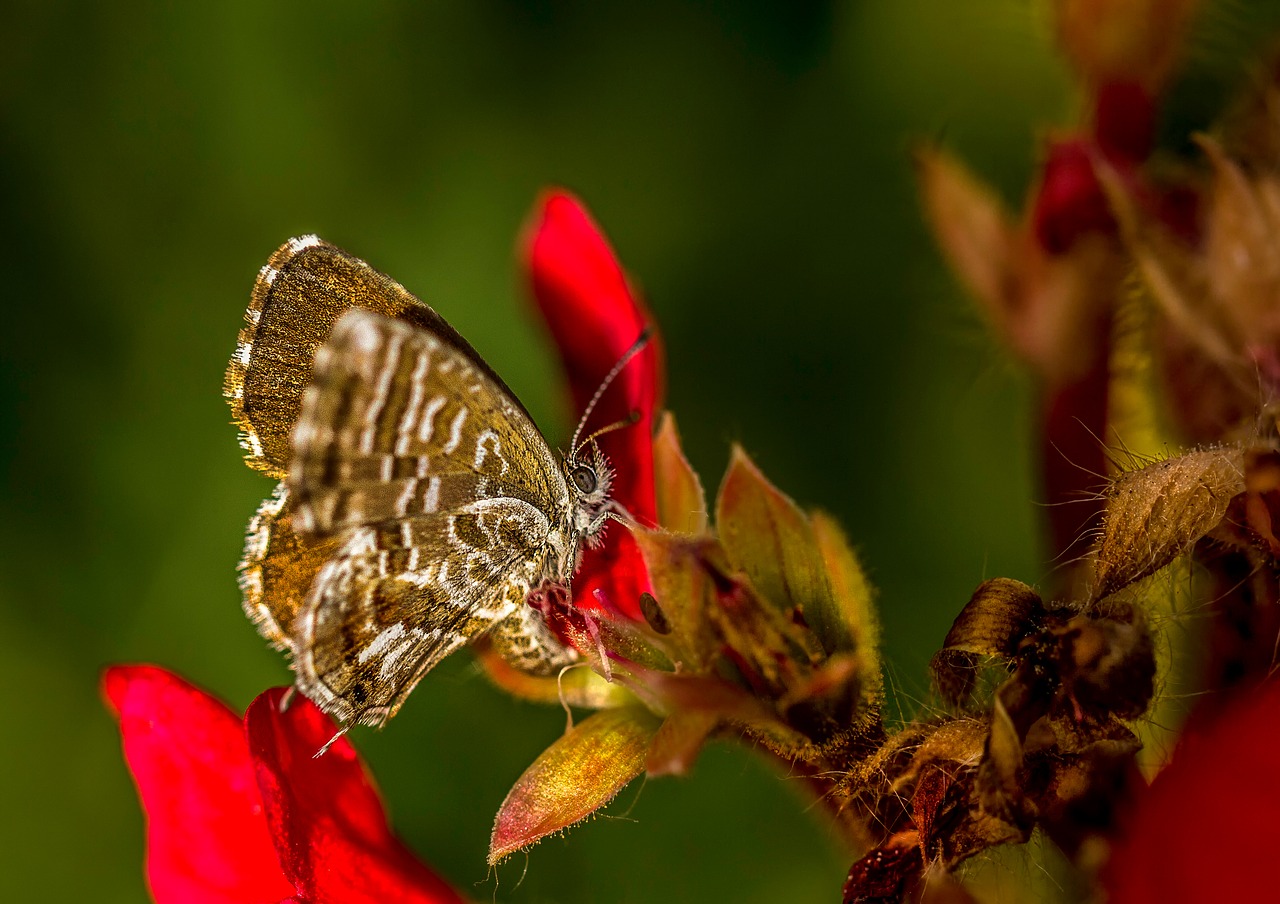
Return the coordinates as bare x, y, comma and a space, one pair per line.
1158, 514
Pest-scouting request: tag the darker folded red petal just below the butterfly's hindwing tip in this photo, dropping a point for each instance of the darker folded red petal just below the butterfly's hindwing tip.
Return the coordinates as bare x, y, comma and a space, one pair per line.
326, 815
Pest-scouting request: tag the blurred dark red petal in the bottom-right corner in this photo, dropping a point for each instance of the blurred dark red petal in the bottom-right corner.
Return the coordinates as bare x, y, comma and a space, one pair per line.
1206, 829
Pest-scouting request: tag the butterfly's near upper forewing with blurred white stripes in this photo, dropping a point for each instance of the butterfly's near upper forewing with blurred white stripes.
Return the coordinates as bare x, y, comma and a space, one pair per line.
399, 424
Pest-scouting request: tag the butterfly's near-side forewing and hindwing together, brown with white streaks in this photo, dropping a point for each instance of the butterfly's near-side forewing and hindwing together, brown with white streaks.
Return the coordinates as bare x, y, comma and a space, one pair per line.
446, 499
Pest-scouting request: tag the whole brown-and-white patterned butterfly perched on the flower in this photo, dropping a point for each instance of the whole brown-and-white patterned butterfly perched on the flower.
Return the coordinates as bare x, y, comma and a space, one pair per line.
418, 506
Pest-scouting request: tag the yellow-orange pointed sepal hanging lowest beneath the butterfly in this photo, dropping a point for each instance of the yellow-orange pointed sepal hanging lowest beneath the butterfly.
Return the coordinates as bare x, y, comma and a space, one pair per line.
574, 778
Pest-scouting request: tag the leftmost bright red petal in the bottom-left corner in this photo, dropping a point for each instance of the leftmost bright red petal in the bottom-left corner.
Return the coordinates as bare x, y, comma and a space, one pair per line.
208, 839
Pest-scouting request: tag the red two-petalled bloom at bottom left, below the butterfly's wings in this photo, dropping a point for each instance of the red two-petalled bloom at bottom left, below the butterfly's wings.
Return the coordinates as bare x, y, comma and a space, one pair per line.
244, 812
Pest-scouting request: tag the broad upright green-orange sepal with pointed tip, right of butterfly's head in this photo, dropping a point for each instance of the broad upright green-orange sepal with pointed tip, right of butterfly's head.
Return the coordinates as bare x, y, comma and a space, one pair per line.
767, 537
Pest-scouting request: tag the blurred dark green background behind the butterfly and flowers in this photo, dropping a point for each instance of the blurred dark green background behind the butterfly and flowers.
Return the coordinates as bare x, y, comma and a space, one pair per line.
751, 165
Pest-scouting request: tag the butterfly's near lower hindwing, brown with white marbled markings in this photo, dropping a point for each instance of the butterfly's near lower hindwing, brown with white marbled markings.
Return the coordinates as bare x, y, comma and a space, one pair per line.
395, 601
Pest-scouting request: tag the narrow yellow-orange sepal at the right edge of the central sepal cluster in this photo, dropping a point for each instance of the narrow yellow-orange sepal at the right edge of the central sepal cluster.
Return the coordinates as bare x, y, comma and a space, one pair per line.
851, 624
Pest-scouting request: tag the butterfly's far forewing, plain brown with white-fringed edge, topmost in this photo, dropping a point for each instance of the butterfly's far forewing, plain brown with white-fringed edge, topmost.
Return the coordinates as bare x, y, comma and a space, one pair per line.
305, 289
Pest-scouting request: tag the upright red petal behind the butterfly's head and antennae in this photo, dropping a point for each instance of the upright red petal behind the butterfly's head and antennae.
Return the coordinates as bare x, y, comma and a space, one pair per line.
596, 317
